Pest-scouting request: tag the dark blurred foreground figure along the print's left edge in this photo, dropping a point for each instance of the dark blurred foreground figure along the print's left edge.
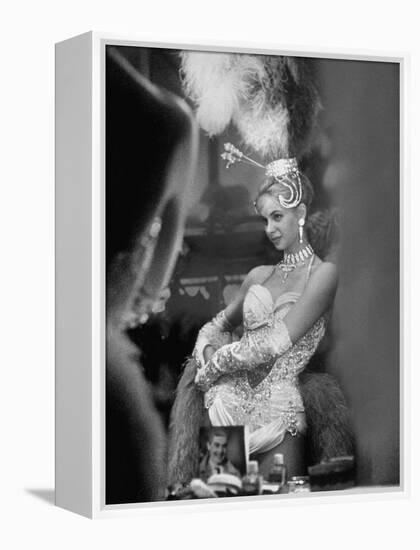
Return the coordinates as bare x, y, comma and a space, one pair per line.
151, 142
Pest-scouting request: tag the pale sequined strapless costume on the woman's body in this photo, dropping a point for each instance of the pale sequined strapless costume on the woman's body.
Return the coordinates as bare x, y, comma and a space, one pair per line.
264, 396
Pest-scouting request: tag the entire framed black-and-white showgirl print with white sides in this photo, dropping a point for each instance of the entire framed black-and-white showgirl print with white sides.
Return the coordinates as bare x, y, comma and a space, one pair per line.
228, 274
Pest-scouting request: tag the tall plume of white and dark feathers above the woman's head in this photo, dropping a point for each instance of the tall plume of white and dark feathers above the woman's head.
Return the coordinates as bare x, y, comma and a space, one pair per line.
272, 100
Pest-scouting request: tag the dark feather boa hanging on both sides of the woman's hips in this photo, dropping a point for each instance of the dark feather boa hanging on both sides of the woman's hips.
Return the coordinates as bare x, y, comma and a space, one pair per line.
329, 429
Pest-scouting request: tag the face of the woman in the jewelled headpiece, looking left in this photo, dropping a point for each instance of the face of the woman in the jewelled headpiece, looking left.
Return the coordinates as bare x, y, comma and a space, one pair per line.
281, 224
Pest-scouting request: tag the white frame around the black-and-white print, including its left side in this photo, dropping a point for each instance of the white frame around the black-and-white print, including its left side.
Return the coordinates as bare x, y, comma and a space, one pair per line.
80, 271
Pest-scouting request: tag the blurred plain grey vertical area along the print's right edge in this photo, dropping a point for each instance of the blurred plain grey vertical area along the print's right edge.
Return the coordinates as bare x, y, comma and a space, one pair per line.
361, 101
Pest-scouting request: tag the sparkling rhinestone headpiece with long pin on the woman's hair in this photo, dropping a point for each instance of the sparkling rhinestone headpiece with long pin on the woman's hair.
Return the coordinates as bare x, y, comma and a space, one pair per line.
280, 170
